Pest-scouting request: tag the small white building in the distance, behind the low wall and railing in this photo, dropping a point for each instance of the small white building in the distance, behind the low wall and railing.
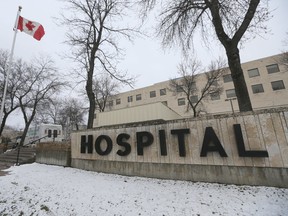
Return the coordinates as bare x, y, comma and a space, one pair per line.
42, 132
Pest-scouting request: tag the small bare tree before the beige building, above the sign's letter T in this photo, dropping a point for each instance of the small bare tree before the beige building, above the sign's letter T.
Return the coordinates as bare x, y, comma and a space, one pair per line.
187, 83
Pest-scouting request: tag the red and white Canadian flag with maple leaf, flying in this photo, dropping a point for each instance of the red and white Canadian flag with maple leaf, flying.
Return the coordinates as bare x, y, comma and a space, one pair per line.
30, 27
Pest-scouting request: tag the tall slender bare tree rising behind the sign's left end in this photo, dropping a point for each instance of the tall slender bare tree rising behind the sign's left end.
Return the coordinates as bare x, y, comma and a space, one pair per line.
93, 33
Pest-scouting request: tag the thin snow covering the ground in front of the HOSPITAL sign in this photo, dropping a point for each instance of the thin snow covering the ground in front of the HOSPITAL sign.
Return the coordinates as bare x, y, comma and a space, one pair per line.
37, 189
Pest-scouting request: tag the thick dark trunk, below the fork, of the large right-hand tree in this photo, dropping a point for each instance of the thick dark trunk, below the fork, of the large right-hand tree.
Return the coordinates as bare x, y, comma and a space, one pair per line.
238, 79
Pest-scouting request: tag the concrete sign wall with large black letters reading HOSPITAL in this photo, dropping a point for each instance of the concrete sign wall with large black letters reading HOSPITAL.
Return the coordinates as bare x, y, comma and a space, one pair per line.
197, 150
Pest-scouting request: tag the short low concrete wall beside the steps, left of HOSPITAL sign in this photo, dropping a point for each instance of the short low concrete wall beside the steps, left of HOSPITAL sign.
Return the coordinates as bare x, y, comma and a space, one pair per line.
56, 153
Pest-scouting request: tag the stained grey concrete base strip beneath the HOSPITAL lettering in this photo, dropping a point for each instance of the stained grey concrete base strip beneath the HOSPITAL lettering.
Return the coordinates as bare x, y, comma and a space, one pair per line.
276, 177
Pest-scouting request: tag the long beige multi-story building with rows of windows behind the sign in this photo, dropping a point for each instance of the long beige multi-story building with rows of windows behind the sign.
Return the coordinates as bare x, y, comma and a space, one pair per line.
266, 79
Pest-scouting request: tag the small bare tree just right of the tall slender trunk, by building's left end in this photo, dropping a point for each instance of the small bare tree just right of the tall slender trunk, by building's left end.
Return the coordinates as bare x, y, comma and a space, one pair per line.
104, 88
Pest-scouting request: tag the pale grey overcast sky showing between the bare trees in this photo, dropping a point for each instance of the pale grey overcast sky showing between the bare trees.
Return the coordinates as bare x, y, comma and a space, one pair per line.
144, 58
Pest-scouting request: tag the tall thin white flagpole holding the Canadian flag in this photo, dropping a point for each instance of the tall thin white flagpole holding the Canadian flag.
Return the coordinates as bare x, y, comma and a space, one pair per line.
10, 64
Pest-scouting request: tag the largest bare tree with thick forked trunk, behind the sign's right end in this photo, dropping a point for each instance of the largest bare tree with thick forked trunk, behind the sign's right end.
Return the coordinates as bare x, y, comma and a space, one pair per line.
230, 20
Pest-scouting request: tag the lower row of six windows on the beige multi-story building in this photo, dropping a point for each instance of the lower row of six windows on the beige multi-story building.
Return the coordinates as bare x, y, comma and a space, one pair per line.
230, 93
